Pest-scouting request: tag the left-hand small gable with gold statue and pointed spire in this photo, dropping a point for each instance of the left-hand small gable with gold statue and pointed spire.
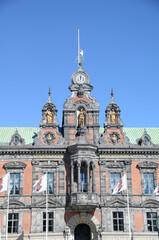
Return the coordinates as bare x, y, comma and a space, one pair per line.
49, 133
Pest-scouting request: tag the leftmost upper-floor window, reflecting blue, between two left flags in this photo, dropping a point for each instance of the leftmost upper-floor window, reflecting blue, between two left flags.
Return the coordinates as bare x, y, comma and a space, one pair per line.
15, 183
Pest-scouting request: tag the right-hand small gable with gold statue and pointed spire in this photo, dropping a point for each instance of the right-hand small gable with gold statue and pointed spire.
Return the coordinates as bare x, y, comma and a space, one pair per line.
113, 126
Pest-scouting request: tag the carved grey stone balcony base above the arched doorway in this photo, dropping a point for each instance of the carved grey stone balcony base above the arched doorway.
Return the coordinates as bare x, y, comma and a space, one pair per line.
84, 201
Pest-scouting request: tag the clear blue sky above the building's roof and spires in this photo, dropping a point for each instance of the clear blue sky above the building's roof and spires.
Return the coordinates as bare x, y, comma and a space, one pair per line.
38, 49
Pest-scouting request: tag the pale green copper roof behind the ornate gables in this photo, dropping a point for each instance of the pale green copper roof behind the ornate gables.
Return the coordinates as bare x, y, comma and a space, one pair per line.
29, 133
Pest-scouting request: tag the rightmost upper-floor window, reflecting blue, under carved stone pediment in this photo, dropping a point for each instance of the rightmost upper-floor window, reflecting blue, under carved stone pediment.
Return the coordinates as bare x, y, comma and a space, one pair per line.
148, 183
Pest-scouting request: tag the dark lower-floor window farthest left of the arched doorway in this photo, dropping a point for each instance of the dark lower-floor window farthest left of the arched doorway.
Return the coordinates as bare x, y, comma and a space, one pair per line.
13, 219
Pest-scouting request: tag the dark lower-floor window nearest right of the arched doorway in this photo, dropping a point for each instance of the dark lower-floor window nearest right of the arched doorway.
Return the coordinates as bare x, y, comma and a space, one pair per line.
118, 221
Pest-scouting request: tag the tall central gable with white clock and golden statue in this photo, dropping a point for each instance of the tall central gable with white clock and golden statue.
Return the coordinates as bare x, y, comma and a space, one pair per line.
81, 104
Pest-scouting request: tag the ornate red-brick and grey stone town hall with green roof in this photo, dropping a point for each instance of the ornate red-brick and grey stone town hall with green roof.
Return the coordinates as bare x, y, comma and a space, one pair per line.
83, 163
